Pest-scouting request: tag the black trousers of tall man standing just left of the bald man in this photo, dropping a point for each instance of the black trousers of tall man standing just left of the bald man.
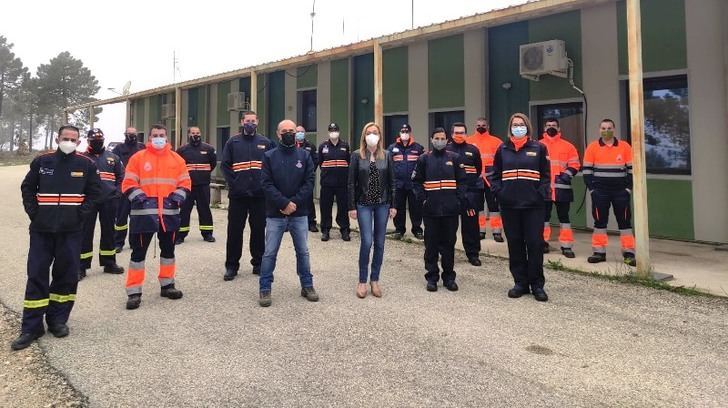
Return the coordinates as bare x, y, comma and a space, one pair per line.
241, 209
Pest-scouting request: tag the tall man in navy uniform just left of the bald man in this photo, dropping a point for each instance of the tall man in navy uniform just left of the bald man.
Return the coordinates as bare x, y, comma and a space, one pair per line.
242, 160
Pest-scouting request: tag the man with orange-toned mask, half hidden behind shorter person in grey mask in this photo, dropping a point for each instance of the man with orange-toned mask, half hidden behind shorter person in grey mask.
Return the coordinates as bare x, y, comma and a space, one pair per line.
472, 164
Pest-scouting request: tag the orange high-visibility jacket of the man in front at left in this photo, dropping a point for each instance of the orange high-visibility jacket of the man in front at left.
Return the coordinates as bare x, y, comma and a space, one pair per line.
157, 173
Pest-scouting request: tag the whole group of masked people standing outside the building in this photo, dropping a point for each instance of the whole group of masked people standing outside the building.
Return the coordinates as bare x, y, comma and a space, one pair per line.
148, 189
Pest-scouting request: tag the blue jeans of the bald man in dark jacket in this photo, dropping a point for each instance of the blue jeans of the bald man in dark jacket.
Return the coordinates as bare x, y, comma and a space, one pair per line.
274, 230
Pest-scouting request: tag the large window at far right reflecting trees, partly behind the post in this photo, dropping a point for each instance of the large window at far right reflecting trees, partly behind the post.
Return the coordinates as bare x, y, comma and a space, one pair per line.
667, 124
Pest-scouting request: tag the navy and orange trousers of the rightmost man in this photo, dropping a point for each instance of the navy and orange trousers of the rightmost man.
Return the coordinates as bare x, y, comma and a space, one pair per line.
619, 201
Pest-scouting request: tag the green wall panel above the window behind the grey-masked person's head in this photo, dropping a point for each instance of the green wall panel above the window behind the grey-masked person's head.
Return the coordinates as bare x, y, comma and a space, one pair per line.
446, 72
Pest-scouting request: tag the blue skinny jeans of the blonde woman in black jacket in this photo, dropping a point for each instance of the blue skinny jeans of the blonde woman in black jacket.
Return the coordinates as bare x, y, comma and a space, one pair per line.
372, 227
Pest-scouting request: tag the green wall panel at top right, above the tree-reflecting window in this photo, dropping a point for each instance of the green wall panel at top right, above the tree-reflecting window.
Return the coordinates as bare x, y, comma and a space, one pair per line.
664, 43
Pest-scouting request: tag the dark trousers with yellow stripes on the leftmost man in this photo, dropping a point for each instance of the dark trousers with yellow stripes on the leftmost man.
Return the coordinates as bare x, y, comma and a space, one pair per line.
54, 300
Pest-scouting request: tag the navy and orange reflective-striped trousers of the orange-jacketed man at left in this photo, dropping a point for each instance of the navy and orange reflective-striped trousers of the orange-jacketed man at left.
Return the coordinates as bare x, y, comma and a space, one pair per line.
139, 246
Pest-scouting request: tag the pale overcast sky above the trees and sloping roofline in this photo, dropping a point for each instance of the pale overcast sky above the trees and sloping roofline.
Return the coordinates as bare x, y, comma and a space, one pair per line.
135, 40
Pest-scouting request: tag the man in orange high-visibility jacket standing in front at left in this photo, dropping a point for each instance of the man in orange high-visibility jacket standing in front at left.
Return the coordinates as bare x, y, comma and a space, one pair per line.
156, 184
